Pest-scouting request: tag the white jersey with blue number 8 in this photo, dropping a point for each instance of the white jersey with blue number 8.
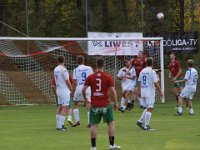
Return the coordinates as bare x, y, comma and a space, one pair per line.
147, 78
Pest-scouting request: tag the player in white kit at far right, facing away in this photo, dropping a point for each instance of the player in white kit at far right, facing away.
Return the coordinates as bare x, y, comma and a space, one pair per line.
189, 90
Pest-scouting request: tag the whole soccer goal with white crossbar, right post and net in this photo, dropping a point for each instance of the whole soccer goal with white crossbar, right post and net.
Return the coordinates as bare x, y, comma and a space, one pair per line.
26, 64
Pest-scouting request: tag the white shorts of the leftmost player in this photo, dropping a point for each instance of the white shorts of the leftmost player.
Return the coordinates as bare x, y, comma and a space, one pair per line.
63, 97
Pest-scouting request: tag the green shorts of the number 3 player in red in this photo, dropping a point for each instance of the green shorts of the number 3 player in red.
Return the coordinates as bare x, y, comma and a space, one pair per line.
97, 113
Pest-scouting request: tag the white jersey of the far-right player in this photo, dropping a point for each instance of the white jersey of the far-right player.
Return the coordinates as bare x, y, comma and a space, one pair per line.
191, 76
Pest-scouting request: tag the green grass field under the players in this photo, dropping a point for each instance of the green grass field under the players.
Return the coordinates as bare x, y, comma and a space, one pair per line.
33, 128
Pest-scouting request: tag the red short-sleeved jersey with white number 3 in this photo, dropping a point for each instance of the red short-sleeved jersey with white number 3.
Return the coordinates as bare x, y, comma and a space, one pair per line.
99, 82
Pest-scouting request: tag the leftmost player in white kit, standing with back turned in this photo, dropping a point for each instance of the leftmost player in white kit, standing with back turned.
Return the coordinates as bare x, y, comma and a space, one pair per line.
63, 91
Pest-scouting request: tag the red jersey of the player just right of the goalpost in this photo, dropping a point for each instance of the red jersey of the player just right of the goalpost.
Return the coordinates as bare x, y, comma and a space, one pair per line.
174, 67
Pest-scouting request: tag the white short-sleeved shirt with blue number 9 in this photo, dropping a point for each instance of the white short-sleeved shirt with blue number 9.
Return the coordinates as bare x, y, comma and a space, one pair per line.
81, 73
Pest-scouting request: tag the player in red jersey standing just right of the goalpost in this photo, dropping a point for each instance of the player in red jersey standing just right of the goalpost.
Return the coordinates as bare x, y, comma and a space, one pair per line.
175, 73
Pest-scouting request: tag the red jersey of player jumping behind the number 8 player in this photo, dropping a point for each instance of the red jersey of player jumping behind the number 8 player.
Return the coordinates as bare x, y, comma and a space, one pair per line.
139, 64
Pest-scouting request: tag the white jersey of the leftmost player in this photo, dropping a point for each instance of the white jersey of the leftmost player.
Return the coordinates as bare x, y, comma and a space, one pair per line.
61, 75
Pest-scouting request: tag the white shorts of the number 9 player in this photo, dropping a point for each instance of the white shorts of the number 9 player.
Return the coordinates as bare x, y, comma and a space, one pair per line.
78, 95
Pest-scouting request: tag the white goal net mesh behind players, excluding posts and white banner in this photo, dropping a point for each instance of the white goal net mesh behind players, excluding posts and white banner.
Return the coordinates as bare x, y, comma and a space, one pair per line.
26, 67
